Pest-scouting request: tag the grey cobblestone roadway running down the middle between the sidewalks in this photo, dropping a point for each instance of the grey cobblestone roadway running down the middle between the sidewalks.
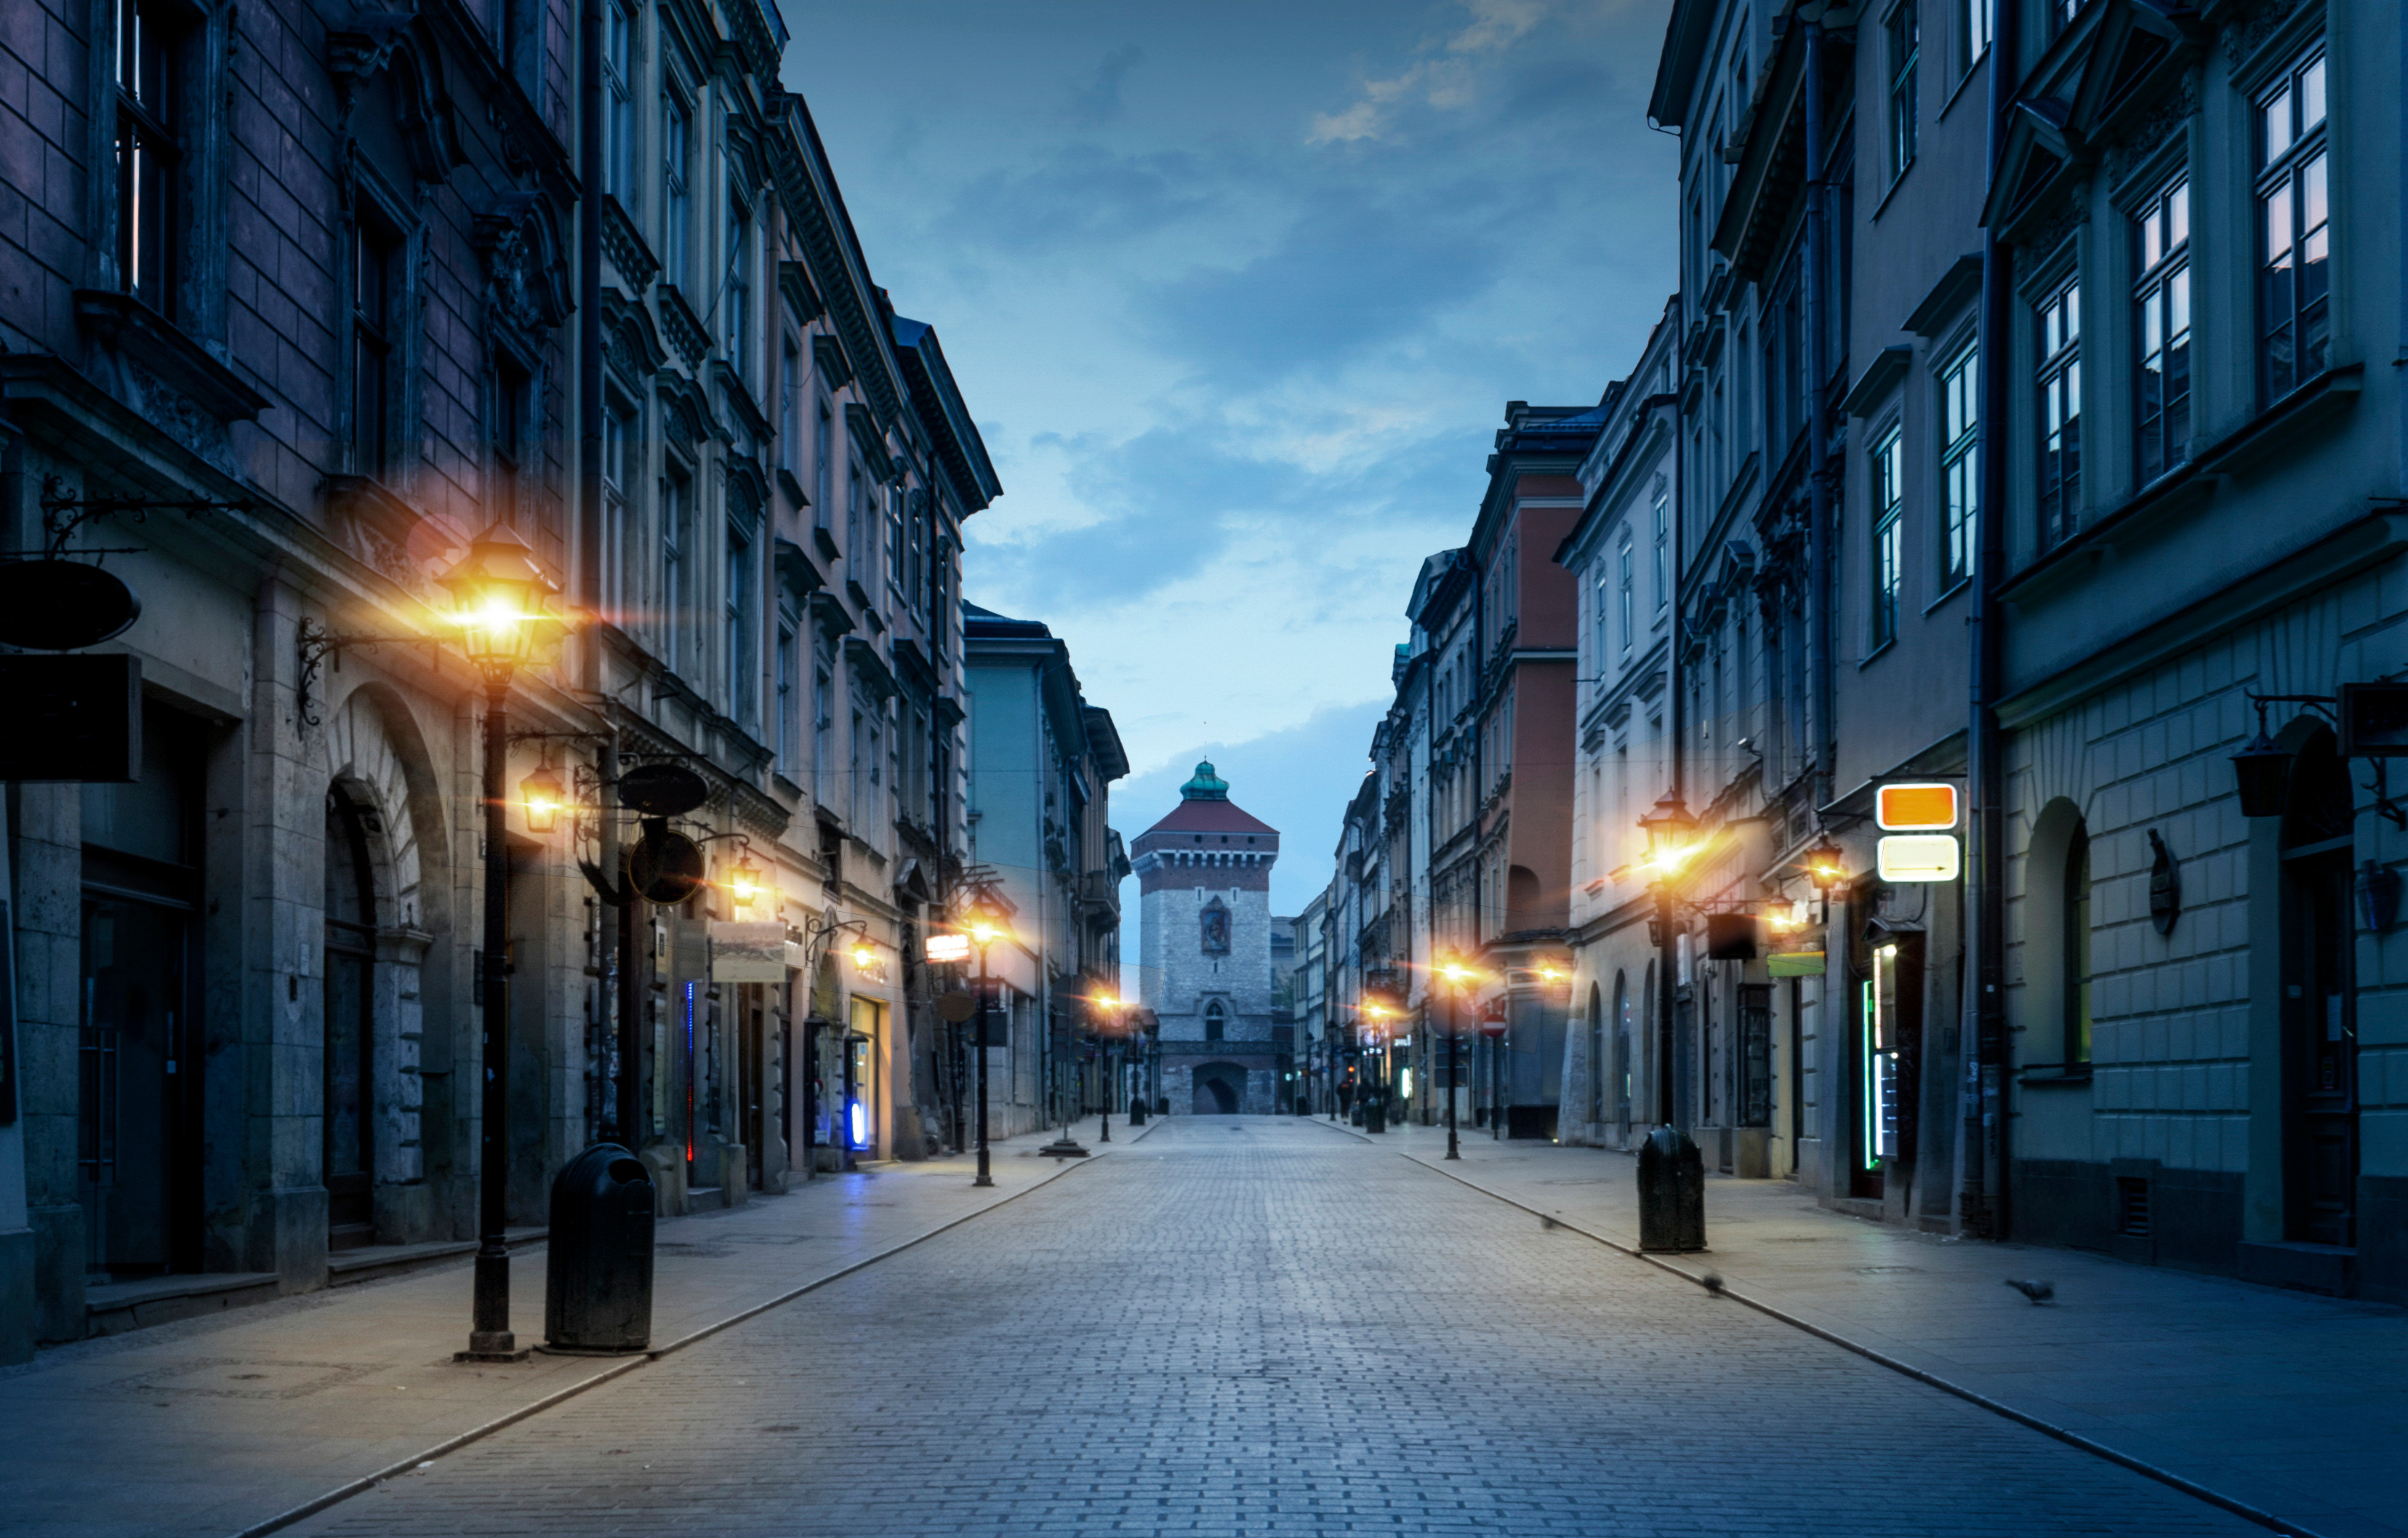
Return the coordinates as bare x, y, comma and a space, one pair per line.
1263, 1327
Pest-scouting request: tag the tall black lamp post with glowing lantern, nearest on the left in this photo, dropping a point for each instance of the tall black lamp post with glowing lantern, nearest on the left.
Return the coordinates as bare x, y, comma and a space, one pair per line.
500, 605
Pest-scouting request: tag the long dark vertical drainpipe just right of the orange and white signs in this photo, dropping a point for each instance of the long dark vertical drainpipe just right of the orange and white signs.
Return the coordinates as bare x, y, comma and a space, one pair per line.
1983, 1123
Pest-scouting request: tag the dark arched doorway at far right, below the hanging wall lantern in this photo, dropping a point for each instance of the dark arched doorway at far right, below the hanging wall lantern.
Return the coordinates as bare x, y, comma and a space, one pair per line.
2320, 1010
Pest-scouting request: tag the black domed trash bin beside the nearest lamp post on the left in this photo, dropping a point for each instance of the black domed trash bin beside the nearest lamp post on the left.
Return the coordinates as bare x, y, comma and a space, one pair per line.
598, 1286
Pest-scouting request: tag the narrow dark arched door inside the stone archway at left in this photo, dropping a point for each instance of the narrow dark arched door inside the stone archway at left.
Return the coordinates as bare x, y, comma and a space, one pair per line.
350, 1027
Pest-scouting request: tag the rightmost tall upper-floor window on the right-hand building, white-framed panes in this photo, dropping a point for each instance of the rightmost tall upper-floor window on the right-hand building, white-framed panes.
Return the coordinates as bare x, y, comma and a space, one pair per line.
2294, 232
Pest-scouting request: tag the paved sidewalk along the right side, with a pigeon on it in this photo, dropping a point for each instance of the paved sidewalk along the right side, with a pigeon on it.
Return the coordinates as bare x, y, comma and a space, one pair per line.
2286, 1402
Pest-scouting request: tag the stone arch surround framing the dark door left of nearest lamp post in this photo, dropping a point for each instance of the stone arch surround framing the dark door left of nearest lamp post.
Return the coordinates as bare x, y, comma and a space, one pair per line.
382, 788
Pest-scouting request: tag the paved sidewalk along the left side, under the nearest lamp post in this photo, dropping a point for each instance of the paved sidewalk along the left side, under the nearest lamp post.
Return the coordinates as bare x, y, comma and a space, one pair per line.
232, 1421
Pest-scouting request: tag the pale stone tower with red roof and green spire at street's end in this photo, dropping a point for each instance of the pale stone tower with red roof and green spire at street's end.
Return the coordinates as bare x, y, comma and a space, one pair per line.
1205, 937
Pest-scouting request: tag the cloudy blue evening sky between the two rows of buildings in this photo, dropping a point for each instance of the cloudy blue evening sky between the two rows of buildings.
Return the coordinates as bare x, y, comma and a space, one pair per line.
1239, 295
